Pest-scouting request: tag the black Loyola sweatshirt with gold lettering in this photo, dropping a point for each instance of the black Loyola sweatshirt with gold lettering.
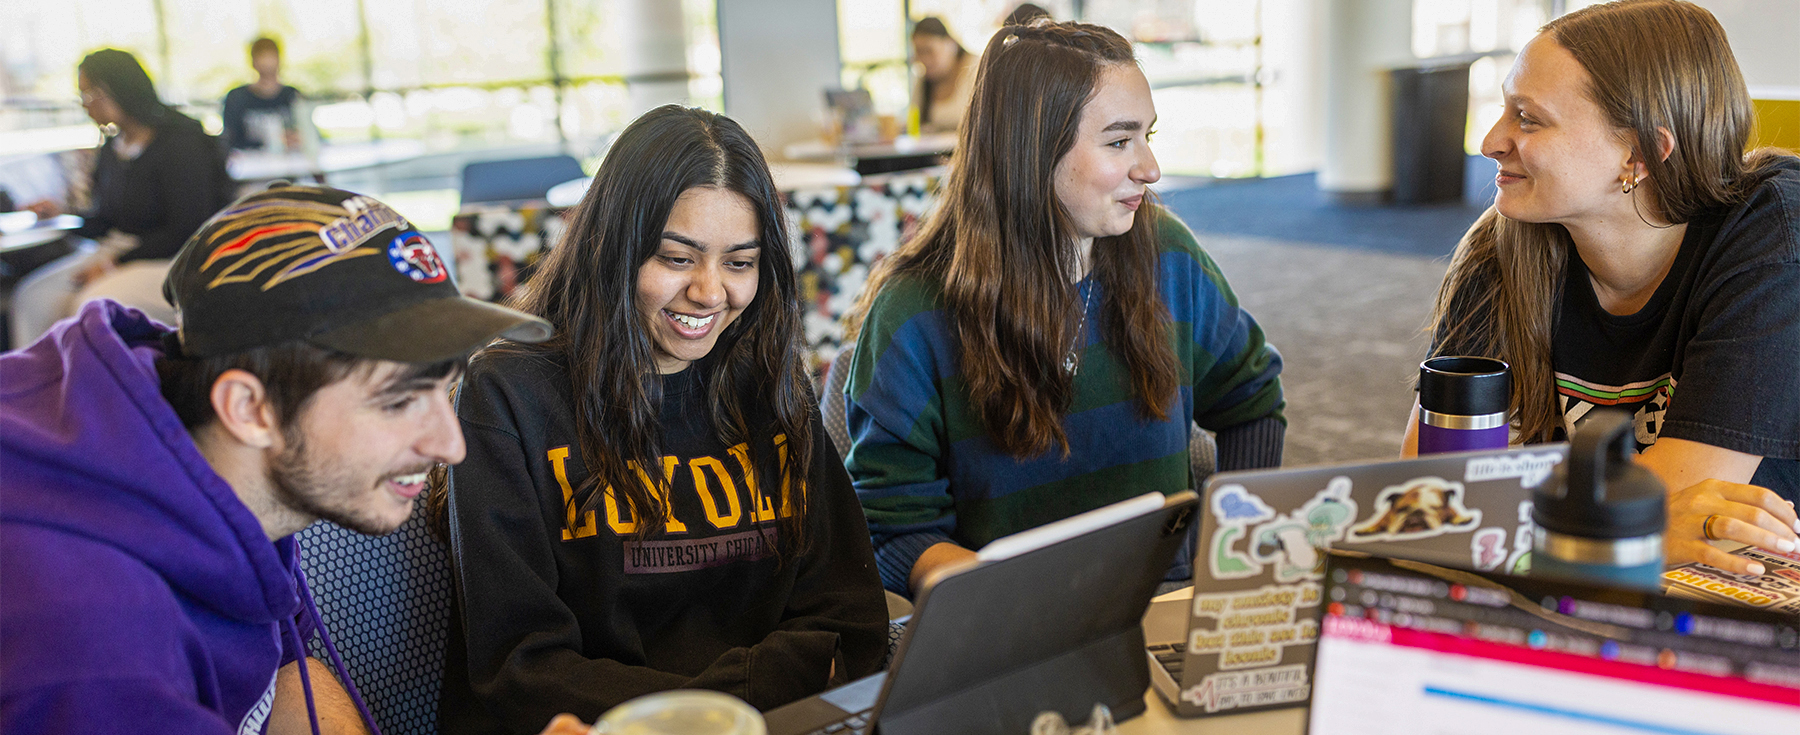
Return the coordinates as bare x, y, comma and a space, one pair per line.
559, 615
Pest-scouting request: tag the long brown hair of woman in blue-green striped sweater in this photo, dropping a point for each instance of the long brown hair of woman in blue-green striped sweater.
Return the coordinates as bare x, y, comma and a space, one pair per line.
1003, 246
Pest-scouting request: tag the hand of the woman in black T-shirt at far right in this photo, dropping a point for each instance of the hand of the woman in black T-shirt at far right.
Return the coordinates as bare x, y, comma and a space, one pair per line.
1745, 514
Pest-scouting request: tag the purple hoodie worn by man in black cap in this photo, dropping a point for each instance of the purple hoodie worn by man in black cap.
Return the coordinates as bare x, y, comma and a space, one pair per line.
136, 592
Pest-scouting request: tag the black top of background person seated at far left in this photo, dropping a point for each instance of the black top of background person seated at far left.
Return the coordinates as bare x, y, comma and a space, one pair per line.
186, 185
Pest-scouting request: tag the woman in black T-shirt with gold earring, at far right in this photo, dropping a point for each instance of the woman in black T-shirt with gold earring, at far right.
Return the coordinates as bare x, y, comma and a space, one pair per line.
1635, 257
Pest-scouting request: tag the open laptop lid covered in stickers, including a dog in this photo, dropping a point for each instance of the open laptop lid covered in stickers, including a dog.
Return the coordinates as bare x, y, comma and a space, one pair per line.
1259, 561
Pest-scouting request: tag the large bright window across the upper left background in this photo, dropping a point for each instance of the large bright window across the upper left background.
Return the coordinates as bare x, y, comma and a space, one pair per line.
447, 73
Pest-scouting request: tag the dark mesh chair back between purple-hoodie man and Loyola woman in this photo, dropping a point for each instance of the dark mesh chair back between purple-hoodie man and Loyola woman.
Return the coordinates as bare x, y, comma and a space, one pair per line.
388, 606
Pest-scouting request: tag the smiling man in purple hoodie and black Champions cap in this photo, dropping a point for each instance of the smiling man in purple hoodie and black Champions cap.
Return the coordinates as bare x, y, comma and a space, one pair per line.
152, 482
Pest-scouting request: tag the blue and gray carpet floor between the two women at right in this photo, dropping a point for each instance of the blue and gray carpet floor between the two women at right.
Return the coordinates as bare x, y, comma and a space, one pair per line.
1344, 293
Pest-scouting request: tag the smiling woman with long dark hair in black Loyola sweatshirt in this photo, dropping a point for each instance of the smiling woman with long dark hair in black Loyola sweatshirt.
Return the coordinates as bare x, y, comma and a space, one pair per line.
651, 500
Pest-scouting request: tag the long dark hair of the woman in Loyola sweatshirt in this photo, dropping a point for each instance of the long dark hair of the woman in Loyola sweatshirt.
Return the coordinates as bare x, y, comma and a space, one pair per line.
588, 287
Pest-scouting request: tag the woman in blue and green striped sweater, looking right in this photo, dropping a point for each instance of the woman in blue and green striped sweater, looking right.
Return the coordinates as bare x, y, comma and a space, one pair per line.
1047, 341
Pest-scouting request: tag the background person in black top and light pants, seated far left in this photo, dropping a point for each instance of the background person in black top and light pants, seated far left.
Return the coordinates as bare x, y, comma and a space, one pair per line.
156, 179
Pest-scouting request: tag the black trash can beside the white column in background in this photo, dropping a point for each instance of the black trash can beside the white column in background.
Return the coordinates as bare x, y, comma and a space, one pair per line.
1430, 120
